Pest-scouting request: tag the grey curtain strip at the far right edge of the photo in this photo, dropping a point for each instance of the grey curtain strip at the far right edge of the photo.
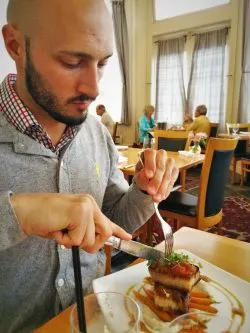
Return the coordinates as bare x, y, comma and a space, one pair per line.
244, 103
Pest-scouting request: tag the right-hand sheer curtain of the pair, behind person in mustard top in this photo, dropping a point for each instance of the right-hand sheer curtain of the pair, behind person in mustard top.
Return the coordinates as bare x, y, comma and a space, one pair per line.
206, 84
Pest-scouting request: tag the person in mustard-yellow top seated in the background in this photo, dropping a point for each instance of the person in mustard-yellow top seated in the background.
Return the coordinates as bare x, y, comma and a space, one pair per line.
201, 122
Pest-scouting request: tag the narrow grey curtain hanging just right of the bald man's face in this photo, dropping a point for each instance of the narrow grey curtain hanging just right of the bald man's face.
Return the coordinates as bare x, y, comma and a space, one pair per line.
121, 38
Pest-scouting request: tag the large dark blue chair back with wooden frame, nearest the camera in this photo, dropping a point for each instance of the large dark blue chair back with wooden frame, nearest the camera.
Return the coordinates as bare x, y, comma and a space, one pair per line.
214, 177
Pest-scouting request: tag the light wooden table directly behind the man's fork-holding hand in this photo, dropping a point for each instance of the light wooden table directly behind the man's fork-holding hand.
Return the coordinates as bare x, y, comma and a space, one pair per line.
182, 162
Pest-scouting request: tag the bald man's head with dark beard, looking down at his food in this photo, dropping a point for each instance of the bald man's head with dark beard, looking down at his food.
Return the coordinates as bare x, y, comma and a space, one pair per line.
61, 48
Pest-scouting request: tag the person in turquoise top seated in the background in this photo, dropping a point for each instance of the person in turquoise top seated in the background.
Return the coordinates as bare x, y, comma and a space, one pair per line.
146, 122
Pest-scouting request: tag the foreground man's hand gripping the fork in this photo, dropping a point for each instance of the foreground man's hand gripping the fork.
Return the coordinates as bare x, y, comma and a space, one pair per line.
158, 175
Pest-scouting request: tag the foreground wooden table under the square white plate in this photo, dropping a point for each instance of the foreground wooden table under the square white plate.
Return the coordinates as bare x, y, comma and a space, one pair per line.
228, 254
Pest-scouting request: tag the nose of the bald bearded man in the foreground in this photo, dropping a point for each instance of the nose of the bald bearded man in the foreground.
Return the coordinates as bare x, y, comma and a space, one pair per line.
88, 83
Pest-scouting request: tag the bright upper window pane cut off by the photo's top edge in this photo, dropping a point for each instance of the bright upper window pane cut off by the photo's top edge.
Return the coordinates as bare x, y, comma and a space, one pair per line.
167, 8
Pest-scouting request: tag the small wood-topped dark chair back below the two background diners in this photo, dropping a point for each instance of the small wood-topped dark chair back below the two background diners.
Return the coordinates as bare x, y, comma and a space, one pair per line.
172, 140
